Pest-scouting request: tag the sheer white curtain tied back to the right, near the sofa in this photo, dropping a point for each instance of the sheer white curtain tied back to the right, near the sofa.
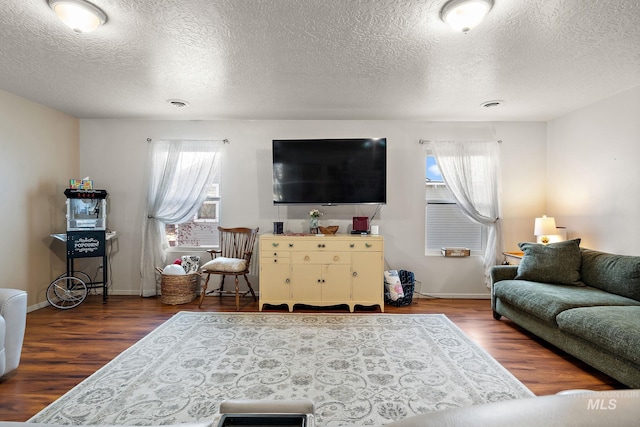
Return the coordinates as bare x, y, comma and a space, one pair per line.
471, 171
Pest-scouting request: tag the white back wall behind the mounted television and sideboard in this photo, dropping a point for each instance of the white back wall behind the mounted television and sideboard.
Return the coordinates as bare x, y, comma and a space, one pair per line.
113, 153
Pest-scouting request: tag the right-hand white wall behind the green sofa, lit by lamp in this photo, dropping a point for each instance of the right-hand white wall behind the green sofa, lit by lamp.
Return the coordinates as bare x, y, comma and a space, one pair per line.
593, 178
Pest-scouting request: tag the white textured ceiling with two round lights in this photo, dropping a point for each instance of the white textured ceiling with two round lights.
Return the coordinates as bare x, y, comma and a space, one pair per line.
321, 59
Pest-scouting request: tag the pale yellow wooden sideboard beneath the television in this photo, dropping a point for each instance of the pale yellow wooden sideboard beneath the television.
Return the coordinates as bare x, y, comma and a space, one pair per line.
321, 270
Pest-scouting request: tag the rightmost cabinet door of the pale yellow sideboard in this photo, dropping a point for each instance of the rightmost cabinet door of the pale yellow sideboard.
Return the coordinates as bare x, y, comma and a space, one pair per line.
367, 276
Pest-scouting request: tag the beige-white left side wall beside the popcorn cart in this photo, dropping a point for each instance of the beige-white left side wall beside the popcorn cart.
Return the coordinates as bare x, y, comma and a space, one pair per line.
39, 154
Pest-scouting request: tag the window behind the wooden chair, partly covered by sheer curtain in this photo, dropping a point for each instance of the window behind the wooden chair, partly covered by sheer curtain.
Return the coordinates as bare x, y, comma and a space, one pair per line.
202, 230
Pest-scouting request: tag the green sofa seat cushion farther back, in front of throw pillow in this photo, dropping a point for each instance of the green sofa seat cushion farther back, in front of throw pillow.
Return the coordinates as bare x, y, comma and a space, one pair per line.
545, 300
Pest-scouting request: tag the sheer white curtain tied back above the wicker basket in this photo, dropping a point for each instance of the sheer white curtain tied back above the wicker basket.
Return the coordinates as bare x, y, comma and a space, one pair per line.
180, 174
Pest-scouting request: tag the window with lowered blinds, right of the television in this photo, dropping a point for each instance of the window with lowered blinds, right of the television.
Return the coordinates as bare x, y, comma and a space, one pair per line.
445, 223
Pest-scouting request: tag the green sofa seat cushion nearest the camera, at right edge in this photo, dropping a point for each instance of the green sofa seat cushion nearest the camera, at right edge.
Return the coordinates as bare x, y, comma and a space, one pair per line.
616, 329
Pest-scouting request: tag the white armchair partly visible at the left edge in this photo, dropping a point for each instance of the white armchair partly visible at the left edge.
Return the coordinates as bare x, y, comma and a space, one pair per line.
13, 320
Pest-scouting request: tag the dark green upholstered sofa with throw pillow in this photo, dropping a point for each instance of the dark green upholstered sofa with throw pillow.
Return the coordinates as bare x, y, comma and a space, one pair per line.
583, 301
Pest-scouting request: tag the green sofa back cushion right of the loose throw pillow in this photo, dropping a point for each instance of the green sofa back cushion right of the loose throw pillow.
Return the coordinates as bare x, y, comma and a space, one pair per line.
619, 274
